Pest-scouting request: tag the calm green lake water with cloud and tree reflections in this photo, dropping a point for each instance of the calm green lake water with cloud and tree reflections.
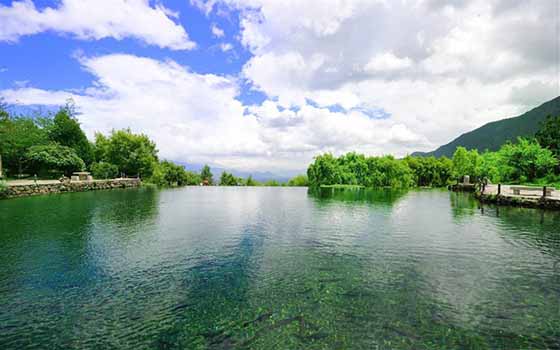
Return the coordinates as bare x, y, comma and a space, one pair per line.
276, 268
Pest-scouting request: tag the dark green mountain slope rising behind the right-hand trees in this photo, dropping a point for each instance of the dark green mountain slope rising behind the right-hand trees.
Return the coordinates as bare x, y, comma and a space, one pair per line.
493, 135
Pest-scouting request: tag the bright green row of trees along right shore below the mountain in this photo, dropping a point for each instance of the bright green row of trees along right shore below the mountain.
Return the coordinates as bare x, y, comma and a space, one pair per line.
533, 160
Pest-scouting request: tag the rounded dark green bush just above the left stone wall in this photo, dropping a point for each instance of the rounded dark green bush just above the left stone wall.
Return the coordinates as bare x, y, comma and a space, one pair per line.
45, 159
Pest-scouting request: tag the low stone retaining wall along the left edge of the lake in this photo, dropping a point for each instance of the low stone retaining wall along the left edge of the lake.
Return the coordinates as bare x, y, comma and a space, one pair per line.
81, 186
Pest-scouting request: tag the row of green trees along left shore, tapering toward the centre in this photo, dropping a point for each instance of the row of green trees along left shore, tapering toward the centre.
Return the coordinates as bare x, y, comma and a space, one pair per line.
54, 145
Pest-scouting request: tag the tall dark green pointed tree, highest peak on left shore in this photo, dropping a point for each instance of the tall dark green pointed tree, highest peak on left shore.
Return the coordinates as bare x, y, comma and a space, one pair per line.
66, 130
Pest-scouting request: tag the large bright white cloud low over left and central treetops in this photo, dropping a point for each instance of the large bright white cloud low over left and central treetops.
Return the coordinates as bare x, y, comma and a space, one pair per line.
198, 118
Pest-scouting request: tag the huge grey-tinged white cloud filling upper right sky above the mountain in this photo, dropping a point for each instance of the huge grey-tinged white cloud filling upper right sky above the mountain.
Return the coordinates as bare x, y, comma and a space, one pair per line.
439, 68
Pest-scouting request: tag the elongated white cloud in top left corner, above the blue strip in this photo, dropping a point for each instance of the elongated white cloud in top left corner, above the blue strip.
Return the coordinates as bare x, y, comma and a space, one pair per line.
94, 20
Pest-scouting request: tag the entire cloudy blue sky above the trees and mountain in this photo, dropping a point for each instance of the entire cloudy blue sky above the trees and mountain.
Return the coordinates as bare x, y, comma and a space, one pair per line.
266, 85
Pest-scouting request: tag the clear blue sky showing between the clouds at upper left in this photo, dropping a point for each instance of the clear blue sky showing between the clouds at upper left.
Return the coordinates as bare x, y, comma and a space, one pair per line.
46, 60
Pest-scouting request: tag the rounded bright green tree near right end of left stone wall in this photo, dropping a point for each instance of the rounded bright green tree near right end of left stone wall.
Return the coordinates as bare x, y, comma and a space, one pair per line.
133, 154
